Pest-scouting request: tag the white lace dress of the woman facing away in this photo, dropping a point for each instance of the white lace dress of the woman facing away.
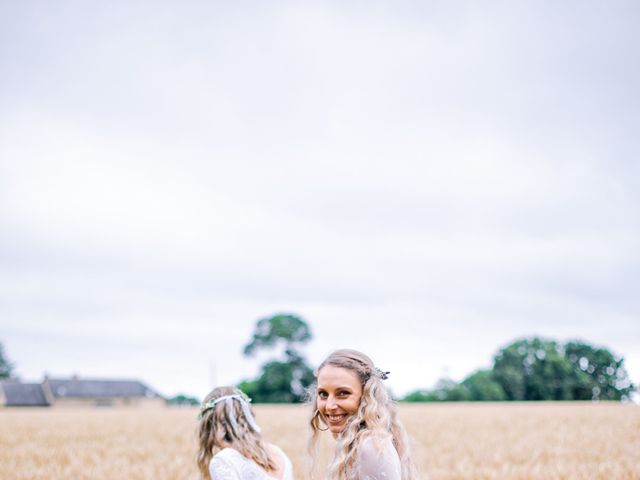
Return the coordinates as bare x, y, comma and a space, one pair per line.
229, 464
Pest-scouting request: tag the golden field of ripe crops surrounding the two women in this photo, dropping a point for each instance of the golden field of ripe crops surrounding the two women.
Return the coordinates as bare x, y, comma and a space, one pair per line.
451, 441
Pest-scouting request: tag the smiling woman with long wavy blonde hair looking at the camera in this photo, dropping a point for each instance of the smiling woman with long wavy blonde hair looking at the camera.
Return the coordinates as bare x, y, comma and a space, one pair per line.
351, 401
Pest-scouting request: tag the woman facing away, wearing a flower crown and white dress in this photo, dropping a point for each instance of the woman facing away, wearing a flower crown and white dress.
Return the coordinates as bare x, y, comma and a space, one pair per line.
230, 444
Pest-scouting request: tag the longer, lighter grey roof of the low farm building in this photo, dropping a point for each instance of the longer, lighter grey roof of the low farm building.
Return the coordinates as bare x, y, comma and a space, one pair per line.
80, 388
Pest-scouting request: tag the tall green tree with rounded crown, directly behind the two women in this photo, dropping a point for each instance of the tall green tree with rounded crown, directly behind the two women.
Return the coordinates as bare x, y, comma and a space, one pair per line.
285, 380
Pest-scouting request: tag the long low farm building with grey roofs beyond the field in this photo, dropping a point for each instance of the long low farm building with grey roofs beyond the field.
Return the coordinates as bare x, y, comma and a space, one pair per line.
76, 392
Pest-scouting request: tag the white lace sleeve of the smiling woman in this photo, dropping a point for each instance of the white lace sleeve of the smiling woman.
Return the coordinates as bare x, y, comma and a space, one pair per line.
378, 461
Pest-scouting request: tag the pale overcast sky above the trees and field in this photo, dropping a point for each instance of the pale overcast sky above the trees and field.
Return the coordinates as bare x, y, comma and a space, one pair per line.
424, 181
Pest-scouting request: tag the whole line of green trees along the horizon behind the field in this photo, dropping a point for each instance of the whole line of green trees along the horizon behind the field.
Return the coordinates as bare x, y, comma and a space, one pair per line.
526, 369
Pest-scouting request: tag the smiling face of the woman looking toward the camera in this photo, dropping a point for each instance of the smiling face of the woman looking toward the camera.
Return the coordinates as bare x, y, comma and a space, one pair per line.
338, 397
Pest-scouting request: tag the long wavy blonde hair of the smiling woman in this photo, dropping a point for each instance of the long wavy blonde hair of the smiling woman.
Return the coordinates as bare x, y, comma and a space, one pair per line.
376, 418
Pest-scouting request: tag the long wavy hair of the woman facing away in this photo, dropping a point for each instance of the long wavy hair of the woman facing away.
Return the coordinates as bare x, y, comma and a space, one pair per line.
217, 431
